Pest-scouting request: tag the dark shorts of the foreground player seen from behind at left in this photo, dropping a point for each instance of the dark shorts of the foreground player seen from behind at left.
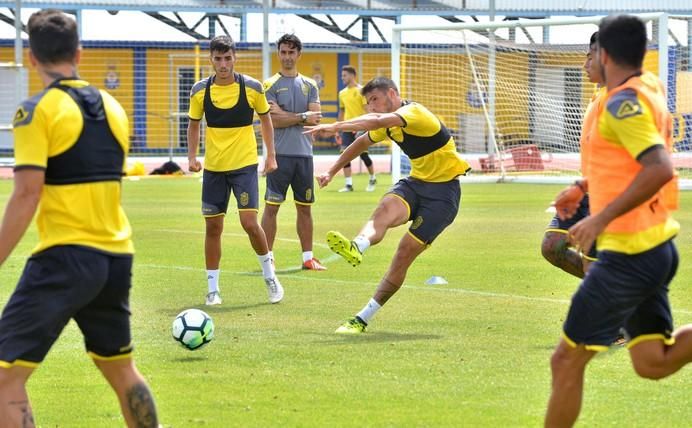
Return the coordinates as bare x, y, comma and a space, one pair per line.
63, 283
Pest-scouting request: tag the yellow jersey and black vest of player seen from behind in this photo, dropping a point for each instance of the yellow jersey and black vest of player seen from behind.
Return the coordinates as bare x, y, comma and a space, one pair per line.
80, 136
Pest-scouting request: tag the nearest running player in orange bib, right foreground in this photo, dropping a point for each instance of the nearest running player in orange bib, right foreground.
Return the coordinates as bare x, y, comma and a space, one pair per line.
630, 188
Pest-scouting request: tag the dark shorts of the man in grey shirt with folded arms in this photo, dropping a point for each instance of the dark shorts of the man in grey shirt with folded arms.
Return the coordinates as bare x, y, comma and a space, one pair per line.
293, 171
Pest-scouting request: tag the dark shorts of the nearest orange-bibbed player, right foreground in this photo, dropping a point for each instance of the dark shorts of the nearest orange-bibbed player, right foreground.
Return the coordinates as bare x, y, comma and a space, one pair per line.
621, 290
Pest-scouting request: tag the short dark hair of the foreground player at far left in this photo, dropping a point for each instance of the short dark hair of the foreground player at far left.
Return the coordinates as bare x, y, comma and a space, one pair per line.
53, 36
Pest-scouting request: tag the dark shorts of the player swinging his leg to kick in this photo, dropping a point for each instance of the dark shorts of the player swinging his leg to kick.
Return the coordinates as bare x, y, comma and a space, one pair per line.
432, 206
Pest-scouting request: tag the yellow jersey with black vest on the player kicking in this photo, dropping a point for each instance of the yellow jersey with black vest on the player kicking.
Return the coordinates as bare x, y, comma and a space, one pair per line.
427, 142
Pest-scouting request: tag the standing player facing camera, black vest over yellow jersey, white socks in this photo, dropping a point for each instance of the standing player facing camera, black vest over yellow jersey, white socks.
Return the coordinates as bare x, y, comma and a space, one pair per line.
228, 100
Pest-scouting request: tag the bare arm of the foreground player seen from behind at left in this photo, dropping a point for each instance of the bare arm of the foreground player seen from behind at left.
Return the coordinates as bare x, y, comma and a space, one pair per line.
28, 184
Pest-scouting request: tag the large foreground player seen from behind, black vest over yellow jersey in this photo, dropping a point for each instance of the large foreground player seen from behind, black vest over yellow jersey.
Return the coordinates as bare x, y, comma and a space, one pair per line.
70, 146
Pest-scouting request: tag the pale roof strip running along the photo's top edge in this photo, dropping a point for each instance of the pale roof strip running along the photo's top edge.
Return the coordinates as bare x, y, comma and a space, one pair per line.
375, 7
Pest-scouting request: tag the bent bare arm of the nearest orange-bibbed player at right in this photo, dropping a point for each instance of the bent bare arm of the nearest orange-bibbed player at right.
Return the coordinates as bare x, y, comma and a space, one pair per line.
657, 170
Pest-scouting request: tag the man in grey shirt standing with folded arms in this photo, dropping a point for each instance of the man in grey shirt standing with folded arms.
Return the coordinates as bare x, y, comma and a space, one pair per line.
295, 102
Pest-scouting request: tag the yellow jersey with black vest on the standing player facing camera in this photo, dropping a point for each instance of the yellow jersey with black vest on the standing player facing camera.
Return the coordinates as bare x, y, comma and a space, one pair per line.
229, 111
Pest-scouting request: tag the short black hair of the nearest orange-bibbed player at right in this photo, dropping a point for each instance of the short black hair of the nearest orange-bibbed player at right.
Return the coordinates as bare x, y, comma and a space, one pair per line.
624, 38
